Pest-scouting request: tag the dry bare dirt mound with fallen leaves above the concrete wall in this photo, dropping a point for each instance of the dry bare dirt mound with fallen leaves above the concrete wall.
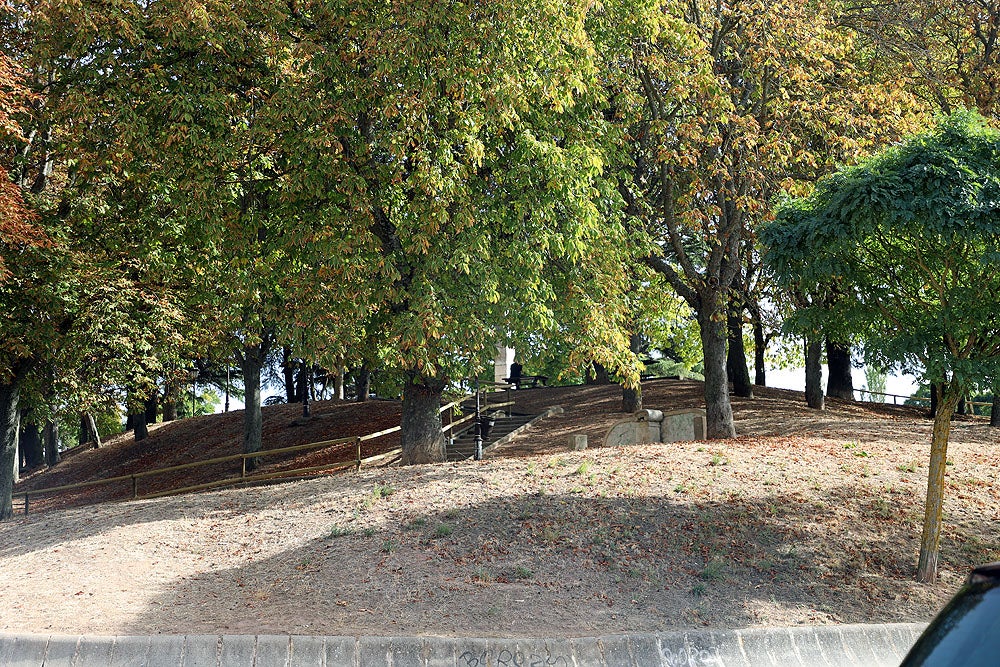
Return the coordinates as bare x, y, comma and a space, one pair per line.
804, 518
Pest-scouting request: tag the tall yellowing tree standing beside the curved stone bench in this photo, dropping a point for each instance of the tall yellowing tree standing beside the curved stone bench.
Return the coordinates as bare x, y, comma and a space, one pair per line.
725, 104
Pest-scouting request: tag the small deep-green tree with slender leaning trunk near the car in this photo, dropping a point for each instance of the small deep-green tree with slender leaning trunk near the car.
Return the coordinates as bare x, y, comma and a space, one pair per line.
908, 239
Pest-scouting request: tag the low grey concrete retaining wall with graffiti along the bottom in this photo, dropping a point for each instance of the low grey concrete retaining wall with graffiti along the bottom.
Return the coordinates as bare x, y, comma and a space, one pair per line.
826, 646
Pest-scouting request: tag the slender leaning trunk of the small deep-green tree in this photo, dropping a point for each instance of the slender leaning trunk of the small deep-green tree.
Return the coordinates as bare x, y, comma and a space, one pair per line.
930, 539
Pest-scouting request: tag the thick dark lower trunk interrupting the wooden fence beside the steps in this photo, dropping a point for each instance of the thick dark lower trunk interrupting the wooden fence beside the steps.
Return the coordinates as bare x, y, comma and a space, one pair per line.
423, 441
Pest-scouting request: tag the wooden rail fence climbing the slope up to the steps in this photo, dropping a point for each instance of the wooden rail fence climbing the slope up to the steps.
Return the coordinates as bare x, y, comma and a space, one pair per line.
357, 462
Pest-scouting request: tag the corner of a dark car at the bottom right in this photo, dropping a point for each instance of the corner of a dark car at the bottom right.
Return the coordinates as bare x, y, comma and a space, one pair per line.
967, 631
